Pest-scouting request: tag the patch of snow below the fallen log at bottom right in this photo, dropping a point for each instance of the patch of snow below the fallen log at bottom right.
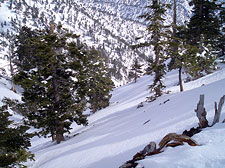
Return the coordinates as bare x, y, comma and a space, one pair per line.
209, 154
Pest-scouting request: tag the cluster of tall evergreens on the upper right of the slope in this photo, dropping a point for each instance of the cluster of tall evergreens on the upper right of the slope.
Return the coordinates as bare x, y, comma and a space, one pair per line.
191, 48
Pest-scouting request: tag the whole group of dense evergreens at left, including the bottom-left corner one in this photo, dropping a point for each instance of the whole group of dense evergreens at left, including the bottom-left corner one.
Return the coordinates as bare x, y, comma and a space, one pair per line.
60, 78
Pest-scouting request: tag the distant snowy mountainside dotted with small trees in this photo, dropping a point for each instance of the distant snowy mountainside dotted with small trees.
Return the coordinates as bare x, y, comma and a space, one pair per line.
111, 26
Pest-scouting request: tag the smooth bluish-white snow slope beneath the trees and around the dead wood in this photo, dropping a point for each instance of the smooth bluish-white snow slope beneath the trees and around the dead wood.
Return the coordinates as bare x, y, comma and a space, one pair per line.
116, 133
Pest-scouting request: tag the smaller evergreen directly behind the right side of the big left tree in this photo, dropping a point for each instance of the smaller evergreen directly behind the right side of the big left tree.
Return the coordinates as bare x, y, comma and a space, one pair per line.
99, 82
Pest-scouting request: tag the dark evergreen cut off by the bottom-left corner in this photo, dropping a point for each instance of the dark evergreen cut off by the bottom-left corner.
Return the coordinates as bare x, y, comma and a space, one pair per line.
14, 141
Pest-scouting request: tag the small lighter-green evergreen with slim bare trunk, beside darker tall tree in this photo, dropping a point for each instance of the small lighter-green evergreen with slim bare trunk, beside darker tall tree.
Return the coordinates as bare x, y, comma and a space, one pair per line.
185, 56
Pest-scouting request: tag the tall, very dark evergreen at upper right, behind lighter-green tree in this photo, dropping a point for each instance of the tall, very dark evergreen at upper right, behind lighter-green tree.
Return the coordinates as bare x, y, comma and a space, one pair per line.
204, 31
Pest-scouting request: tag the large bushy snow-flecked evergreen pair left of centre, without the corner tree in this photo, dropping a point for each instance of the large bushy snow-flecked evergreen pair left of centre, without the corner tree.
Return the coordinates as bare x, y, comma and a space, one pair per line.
63, 78
